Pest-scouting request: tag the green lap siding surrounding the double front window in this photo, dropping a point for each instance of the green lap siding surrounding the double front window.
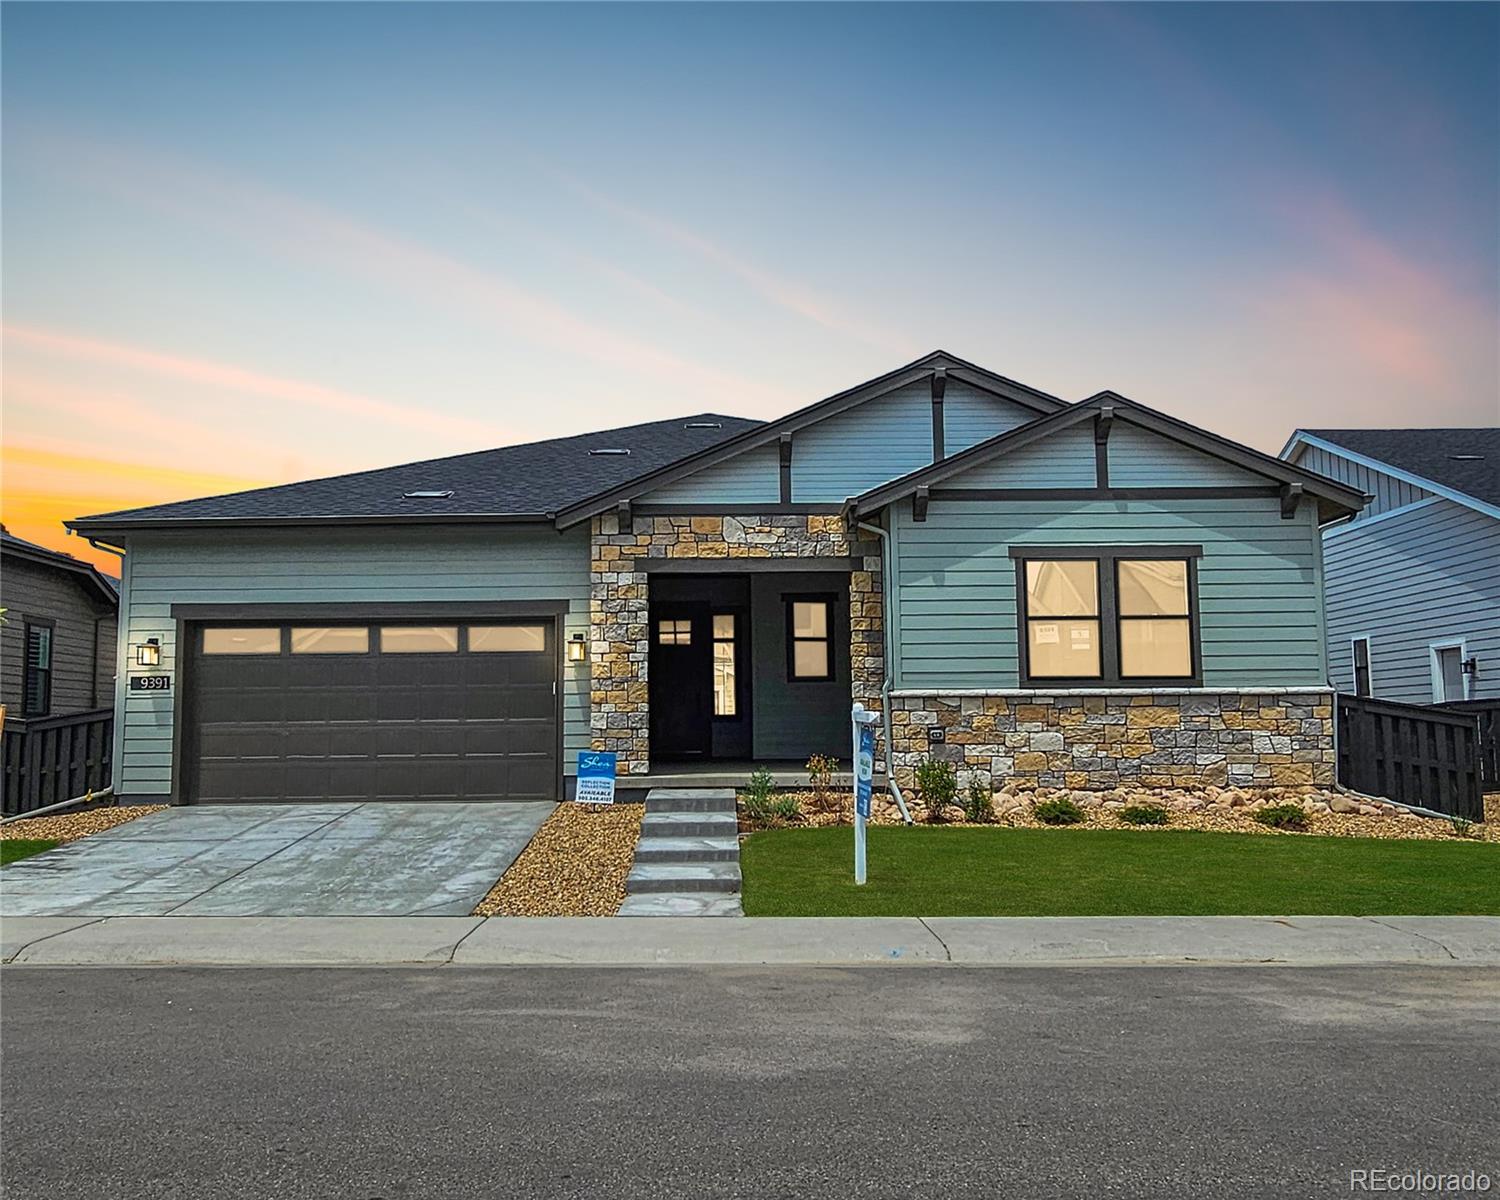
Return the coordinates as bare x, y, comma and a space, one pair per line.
956, 605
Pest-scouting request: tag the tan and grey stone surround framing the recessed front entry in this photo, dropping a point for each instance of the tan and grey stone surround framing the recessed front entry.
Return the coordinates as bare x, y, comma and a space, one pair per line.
619, 607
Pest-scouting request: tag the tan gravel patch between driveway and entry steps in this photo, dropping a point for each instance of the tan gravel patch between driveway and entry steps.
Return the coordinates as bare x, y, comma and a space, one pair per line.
575, 866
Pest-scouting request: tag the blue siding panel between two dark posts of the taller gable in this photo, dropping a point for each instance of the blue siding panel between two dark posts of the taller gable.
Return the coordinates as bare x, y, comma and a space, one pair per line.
871, 445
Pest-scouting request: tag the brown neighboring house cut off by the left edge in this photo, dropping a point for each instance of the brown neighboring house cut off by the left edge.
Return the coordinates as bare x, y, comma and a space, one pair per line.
59, 637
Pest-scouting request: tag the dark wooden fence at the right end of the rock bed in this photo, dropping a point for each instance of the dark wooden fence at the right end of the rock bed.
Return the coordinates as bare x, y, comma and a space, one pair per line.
1411, 754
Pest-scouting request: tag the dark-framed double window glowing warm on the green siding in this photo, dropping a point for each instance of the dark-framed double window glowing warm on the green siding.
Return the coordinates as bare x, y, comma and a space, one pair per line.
1109, 616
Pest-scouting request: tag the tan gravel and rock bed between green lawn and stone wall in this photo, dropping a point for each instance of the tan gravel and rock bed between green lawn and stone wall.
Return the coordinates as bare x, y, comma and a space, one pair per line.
1213, 809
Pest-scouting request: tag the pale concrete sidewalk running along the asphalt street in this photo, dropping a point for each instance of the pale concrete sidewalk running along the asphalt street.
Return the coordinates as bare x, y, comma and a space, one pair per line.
814, 941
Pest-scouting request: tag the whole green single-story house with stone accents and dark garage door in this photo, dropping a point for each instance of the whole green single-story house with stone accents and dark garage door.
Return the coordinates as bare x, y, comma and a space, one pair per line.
1039, 592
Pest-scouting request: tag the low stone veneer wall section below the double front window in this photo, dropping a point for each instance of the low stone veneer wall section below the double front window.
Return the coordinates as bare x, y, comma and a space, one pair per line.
1096, 742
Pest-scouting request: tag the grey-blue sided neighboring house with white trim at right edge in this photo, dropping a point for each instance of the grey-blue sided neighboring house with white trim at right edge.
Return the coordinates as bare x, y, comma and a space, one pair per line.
1414, 581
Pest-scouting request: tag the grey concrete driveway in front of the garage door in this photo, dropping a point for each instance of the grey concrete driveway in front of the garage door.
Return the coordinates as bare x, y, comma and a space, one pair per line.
277, 860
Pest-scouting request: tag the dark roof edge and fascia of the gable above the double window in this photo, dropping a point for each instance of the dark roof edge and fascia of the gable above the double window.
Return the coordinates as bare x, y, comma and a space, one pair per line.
1109, 407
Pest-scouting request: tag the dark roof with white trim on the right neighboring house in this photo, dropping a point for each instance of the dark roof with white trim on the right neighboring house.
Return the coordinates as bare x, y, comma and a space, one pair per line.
1459, 464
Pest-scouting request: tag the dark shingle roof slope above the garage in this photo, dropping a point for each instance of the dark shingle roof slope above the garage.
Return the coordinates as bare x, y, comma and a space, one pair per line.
514, 481
